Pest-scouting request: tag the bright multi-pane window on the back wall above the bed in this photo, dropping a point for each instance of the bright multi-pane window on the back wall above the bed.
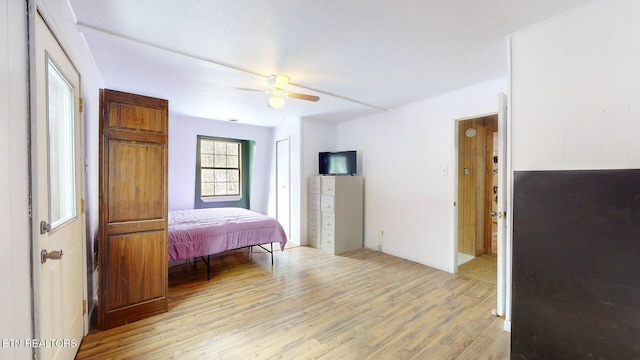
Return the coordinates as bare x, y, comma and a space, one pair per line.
220, 168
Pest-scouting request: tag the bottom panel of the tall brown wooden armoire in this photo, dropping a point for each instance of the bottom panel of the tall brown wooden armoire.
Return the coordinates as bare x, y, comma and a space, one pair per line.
133, 279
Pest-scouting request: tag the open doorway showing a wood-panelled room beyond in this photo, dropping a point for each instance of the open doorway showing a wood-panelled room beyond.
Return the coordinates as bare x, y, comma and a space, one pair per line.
477, 196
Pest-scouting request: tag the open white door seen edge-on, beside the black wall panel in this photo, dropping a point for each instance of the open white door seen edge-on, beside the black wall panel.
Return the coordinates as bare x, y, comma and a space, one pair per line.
502, 203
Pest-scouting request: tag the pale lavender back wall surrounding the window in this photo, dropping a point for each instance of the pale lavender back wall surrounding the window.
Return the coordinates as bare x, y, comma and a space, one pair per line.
183, 132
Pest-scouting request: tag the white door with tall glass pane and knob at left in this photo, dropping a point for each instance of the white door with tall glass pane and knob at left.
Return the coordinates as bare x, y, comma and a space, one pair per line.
57, 184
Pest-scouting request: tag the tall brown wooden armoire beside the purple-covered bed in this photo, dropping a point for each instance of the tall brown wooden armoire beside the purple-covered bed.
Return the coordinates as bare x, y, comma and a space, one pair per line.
132, 243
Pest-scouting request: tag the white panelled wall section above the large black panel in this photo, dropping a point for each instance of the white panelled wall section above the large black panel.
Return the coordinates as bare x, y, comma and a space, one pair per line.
576, 90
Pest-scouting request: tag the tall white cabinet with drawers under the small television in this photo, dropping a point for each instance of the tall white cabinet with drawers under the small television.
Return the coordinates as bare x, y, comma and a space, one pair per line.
335, 213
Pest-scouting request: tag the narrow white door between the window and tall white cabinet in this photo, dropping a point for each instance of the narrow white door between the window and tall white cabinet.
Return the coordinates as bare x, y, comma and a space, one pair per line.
282, 185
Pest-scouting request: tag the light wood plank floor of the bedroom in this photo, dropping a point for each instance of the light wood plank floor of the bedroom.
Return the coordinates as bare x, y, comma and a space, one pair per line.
311, 305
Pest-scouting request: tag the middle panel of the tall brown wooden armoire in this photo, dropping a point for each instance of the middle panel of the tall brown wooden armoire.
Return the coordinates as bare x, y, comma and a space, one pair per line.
136, 174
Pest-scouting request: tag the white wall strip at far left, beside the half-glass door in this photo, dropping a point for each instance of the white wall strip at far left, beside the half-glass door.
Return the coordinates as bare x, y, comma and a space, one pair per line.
15, 253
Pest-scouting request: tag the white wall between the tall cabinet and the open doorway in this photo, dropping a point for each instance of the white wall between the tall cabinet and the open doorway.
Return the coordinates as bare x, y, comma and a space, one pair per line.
402, 154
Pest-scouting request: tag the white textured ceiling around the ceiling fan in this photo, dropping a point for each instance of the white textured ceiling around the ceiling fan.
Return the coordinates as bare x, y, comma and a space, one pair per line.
359, 56
